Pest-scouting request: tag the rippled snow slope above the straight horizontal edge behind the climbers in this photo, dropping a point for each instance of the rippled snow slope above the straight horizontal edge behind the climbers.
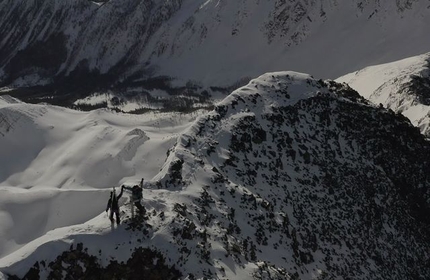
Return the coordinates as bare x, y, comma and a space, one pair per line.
50, 146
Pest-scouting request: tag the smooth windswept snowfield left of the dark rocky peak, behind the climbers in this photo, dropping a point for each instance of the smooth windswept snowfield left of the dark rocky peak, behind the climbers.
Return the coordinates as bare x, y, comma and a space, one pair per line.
57, 165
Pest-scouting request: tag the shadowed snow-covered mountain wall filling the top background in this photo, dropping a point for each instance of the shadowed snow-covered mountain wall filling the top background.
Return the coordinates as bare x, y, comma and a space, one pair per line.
74, 48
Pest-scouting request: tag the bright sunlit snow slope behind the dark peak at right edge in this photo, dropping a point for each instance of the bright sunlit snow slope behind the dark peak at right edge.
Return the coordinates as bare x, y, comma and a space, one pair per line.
403, 86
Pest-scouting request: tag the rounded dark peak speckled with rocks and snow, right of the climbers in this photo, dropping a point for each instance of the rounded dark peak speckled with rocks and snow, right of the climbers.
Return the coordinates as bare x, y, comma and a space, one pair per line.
278, 179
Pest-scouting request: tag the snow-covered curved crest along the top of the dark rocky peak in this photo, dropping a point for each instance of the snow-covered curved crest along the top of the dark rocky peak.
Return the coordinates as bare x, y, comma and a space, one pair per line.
277, 89
